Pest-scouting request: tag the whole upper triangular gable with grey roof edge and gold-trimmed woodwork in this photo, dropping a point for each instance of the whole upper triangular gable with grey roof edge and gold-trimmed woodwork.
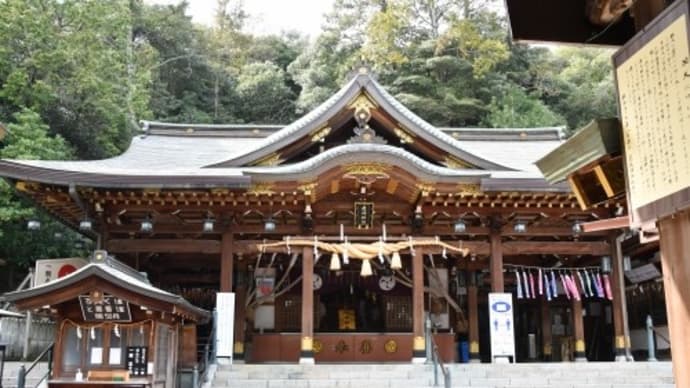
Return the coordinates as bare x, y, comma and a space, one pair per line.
367, 101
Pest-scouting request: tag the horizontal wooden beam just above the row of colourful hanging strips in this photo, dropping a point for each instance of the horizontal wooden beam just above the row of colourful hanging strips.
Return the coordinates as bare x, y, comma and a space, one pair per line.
594, 248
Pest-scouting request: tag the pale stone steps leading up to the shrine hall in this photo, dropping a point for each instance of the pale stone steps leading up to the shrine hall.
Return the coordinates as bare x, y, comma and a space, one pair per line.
533, 375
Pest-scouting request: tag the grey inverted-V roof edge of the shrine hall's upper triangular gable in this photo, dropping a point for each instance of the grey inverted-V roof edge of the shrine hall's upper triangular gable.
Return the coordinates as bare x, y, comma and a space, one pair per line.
316, 119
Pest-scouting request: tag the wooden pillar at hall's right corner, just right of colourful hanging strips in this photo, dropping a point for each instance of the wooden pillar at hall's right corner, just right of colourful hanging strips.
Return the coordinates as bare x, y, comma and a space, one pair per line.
618, 302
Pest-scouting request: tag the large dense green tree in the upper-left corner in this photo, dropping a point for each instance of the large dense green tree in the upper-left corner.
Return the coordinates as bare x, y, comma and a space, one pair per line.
75, 64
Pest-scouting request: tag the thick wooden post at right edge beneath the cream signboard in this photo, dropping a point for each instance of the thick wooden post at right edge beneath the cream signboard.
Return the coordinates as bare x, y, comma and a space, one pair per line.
675, 248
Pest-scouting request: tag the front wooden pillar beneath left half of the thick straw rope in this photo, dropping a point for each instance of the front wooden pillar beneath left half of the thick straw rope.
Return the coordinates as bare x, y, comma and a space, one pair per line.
306, 348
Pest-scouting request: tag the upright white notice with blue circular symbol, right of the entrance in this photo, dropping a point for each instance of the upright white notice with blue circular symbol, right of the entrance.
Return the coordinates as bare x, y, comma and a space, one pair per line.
501, 324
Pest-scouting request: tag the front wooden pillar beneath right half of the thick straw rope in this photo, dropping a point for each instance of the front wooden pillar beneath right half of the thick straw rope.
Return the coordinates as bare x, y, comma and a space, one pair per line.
418, 344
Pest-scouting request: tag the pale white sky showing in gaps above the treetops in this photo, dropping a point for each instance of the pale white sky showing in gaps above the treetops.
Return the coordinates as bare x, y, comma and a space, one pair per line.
266, 16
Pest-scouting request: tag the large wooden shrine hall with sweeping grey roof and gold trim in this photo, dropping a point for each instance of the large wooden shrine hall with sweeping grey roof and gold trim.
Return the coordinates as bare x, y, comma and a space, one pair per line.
341, 232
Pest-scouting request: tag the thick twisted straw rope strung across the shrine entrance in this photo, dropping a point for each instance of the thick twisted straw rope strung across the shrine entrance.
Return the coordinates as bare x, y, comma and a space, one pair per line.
365, 251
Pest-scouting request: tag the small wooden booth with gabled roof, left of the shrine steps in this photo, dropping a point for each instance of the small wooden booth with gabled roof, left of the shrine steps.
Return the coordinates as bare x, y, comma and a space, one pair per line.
113, 326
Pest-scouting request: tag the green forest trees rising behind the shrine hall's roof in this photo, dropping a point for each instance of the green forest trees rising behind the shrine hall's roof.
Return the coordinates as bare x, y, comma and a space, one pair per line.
76, 76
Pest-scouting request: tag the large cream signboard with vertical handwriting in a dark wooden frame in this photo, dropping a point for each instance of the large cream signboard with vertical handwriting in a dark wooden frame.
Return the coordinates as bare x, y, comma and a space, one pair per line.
653, 81
